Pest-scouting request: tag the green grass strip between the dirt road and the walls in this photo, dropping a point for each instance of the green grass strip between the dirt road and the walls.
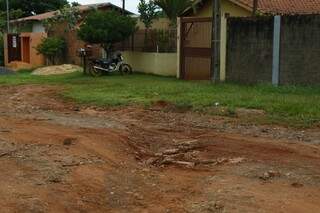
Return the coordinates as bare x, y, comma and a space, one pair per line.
290, 105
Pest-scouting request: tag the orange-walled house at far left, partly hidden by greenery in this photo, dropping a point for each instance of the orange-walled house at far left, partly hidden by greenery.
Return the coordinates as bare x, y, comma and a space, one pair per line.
28, 32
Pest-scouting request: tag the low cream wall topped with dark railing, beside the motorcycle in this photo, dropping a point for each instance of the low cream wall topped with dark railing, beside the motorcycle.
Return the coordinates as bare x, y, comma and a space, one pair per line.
153, 52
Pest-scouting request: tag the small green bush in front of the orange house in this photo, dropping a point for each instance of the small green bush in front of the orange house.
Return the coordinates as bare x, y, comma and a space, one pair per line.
51, 48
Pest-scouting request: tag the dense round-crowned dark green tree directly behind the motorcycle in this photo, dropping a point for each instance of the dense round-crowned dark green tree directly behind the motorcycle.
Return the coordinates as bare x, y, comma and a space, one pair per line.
106, 28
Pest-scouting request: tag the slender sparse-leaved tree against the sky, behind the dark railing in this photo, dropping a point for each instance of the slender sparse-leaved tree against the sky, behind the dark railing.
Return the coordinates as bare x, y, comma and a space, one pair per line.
148, 13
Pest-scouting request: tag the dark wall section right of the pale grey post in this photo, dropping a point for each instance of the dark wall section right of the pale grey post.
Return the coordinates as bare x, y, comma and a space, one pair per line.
300, 50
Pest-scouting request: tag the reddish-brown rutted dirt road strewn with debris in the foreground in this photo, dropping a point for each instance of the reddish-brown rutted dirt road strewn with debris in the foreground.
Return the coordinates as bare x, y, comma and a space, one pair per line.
56, 156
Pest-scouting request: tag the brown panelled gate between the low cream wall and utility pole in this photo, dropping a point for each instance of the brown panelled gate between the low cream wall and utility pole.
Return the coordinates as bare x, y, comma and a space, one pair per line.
196, 48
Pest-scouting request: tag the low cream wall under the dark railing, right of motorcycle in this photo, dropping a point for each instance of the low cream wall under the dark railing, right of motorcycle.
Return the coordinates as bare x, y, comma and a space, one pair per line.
164, 64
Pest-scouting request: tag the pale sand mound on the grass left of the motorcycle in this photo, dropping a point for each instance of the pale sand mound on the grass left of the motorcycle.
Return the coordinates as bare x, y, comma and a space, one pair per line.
57, 70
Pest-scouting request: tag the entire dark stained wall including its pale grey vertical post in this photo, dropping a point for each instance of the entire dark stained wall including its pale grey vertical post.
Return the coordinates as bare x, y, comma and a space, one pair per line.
281, 50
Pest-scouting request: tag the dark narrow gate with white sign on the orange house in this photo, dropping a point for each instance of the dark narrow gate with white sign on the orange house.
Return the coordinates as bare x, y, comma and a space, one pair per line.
14, 47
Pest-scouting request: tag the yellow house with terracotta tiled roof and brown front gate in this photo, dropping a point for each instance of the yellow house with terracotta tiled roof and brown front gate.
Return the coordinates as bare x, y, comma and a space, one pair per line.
195, 49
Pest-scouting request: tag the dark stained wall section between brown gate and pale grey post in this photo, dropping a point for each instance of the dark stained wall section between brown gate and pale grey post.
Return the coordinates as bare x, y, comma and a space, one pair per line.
249, 50
